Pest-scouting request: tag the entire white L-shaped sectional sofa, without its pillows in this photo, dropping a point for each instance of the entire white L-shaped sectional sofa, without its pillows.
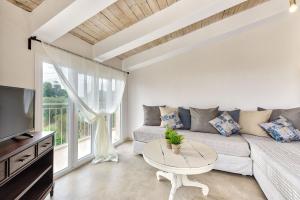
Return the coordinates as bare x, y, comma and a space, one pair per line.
276, 166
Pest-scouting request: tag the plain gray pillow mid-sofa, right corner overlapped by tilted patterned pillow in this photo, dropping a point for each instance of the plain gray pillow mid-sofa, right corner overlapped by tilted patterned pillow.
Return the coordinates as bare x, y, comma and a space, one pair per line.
200, 119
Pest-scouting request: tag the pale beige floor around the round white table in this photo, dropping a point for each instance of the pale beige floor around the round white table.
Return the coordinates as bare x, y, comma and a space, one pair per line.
133, 179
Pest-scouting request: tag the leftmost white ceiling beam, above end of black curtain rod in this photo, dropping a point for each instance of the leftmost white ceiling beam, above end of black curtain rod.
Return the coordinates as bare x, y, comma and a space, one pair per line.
54, 18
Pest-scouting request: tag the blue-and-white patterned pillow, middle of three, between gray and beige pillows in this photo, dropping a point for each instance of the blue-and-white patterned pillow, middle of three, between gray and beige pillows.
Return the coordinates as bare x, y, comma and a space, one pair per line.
225, 124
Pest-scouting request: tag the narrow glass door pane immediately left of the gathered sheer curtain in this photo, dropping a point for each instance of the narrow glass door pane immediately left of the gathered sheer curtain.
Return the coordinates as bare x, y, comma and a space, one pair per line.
84, 137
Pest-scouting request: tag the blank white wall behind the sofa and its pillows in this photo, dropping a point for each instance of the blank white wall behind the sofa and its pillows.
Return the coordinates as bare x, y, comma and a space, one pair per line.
258, 66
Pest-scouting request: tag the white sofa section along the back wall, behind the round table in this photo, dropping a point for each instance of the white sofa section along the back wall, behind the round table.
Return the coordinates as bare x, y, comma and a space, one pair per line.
233, 152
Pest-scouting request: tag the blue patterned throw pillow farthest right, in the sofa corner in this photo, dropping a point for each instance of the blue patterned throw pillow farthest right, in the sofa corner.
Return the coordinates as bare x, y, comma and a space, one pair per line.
282, 130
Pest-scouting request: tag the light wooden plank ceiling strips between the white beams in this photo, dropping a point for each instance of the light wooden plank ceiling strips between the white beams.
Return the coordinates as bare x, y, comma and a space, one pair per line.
124, 13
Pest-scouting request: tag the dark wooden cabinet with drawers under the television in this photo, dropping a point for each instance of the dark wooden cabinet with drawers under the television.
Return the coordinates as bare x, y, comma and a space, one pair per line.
26, 167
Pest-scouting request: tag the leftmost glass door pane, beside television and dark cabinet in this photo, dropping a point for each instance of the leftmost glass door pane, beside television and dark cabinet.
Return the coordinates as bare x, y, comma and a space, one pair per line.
55, 115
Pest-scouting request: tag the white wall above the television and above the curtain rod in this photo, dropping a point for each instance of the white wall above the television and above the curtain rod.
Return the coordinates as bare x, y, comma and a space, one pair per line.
16, 61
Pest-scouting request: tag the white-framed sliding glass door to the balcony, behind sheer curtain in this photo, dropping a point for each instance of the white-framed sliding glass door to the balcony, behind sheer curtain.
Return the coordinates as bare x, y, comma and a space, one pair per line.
73, 133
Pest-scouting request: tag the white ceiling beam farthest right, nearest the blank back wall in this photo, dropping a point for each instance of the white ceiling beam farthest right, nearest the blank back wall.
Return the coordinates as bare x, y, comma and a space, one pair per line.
199, 37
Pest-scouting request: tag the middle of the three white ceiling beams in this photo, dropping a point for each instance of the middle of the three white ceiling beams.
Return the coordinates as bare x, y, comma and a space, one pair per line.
170, 19
